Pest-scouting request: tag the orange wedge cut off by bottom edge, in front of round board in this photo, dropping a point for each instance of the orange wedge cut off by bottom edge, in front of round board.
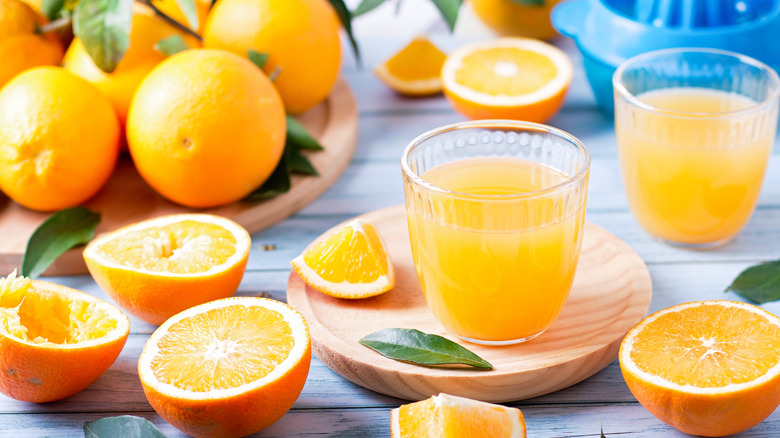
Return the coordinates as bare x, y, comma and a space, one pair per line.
448, 416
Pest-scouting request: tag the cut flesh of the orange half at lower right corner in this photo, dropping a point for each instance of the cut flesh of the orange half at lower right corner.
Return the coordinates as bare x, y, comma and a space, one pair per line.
705, 346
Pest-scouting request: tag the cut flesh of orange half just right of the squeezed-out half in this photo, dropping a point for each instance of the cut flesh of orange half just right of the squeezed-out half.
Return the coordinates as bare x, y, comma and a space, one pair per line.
223, 348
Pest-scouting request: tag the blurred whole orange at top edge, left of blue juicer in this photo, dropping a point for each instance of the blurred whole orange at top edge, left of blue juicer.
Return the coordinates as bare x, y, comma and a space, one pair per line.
512, 18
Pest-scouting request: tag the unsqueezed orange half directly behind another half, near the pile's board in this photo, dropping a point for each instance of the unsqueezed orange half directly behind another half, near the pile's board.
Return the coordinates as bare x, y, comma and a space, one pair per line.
159, 267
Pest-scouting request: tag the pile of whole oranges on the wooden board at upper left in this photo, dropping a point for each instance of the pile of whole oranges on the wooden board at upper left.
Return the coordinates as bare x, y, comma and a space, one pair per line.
188, 120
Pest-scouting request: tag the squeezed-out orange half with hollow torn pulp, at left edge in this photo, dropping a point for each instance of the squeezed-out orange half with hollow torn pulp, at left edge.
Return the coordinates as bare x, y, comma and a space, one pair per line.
54, 341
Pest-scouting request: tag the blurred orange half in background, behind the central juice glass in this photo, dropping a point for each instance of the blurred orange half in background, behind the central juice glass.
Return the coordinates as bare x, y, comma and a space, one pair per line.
507, 78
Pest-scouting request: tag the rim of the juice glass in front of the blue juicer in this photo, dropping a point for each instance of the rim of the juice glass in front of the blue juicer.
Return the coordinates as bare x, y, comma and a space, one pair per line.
631, 98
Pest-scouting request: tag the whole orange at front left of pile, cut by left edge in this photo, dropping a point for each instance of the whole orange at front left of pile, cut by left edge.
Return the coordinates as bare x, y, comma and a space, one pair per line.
59, 139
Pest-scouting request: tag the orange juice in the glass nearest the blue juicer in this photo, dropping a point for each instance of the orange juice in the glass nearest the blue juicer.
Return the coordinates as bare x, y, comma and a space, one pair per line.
693, 179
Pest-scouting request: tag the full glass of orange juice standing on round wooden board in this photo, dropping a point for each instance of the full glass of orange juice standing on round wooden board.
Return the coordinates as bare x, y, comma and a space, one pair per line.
495, 210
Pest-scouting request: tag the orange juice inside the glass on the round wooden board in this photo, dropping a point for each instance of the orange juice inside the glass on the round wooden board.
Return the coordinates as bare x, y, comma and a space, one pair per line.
497, 270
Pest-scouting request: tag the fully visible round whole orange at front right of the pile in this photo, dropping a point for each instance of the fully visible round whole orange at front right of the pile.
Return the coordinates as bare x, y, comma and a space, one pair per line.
205, 128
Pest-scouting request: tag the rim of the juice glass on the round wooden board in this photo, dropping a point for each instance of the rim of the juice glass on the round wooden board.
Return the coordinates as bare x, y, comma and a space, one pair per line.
496, 123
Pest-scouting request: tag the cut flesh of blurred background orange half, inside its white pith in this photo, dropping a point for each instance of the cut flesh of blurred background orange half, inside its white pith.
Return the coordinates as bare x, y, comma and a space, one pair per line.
505, 71
